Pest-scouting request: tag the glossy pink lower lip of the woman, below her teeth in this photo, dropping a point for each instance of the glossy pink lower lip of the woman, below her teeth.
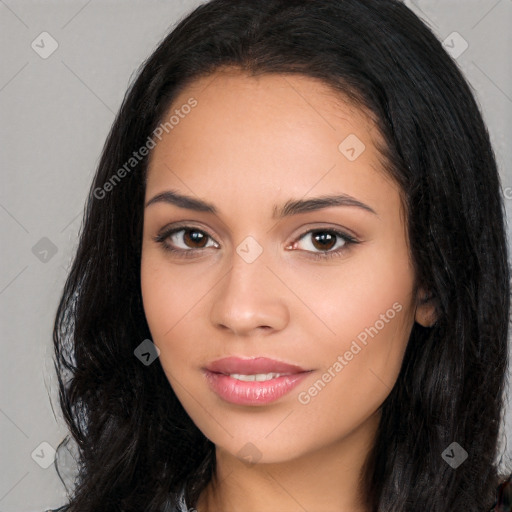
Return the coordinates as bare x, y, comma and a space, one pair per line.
252, 393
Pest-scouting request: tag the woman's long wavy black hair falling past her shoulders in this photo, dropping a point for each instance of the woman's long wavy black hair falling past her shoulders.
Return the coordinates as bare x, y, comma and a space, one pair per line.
137, 446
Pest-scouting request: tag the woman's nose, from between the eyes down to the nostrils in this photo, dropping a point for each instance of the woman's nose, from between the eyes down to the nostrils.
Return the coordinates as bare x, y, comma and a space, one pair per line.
248, 299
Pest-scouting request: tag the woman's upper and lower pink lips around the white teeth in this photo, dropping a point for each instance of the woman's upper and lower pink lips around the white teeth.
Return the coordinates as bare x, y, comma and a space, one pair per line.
252, 393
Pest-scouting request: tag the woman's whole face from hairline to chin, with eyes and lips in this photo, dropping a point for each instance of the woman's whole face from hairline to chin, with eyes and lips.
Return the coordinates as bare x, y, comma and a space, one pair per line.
252, 266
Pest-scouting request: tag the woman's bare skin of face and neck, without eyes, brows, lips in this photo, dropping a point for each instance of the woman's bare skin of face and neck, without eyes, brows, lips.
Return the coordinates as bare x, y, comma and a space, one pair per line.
249, 144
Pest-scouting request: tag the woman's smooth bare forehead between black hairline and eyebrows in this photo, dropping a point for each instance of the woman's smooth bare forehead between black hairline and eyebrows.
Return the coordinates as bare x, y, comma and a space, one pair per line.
263, 134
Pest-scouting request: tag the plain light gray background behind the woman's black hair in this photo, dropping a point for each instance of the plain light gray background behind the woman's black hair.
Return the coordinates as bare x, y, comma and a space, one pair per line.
55, 116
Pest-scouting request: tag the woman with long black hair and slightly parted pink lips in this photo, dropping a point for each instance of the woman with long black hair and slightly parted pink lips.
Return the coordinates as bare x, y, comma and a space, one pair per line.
291, 290
